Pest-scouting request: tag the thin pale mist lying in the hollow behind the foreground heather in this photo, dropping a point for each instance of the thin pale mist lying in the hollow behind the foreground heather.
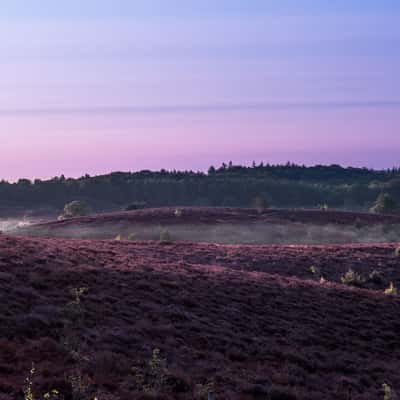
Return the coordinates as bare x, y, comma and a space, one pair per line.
223, 233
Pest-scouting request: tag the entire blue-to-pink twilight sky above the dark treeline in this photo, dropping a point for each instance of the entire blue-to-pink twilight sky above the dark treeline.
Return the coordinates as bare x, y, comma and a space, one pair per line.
103, 85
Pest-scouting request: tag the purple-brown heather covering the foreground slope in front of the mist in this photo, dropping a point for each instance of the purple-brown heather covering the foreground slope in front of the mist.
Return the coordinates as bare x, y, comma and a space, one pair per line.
245, 322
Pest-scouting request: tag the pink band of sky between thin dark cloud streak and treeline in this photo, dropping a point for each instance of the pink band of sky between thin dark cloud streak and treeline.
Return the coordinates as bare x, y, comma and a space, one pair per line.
99, 144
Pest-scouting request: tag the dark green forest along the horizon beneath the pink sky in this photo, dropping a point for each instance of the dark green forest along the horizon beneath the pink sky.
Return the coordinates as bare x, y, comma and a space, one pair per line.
229, 185
